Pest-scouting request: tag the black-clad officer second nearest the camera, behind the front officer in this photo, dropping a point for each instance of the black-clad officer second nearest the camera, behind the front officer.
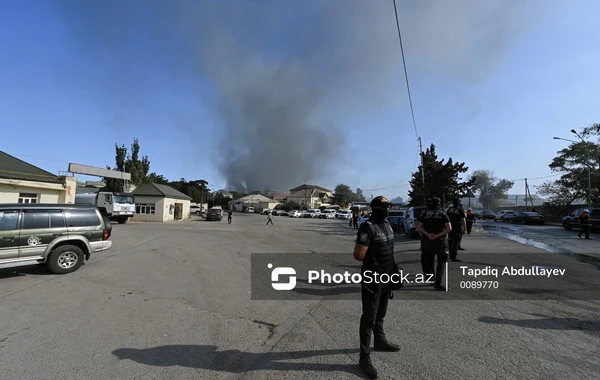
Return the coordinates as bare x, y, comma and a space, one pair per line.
435, 225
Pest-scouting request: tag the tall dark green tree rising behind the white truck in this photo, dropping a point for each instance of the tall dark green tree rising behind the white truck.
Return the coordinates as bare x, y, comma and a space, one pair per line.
132, 164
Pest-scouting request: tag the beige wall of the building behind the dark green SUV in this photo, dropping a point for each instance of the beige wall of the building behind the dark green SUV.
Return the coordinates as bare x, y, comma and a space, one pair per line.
47, 192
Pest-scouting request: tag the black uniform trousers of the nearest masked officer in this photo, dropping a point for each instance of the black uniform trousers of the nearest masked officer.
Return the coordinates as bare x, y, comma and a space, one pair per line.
375, 298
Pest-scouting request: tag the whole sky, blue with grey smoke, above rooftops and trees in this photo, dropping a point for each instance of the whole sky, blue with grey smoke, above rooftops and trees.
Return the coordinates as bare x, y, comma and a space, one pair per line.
256, 94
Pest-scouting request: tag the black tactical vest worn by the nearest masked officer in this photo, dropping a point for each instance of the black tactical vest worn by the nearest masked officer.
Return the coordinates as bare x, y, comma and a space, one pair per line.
380, 254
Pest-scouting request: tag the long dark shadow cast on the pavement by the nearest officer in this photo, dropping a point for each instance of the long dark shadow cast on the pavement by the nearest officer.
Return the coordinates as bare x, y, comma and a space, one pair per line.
233, 361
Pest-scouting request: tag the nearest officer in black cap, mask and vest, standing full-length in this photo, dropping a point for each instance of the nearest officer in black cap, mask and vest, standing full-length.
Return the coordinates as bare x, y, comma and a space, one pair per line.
375, 248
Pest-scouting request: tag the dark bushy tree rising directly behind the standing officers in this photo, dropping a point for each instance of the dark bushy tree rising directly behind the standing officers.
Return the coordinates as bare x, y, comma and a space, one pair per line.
441, 179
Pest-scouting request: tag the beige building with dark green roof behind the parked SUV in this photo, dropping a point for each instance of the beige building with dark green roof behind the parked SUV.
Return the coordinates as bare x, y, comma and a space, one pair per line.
21, 182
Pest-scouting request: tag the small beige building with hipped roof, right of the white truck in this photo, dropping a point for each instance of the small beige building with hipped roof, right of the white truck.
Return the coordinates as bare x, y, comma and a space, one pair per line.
160, 203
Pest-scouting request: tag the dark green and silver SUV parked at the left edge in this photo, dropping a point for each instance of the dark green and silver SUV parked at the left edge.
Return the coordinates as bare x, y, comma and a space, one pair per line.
58, 235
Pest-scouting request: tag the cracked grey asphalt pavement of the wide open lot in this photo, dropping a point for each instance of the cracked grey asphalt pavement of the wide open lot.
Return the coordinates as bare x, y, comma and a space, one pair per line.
173, 301
